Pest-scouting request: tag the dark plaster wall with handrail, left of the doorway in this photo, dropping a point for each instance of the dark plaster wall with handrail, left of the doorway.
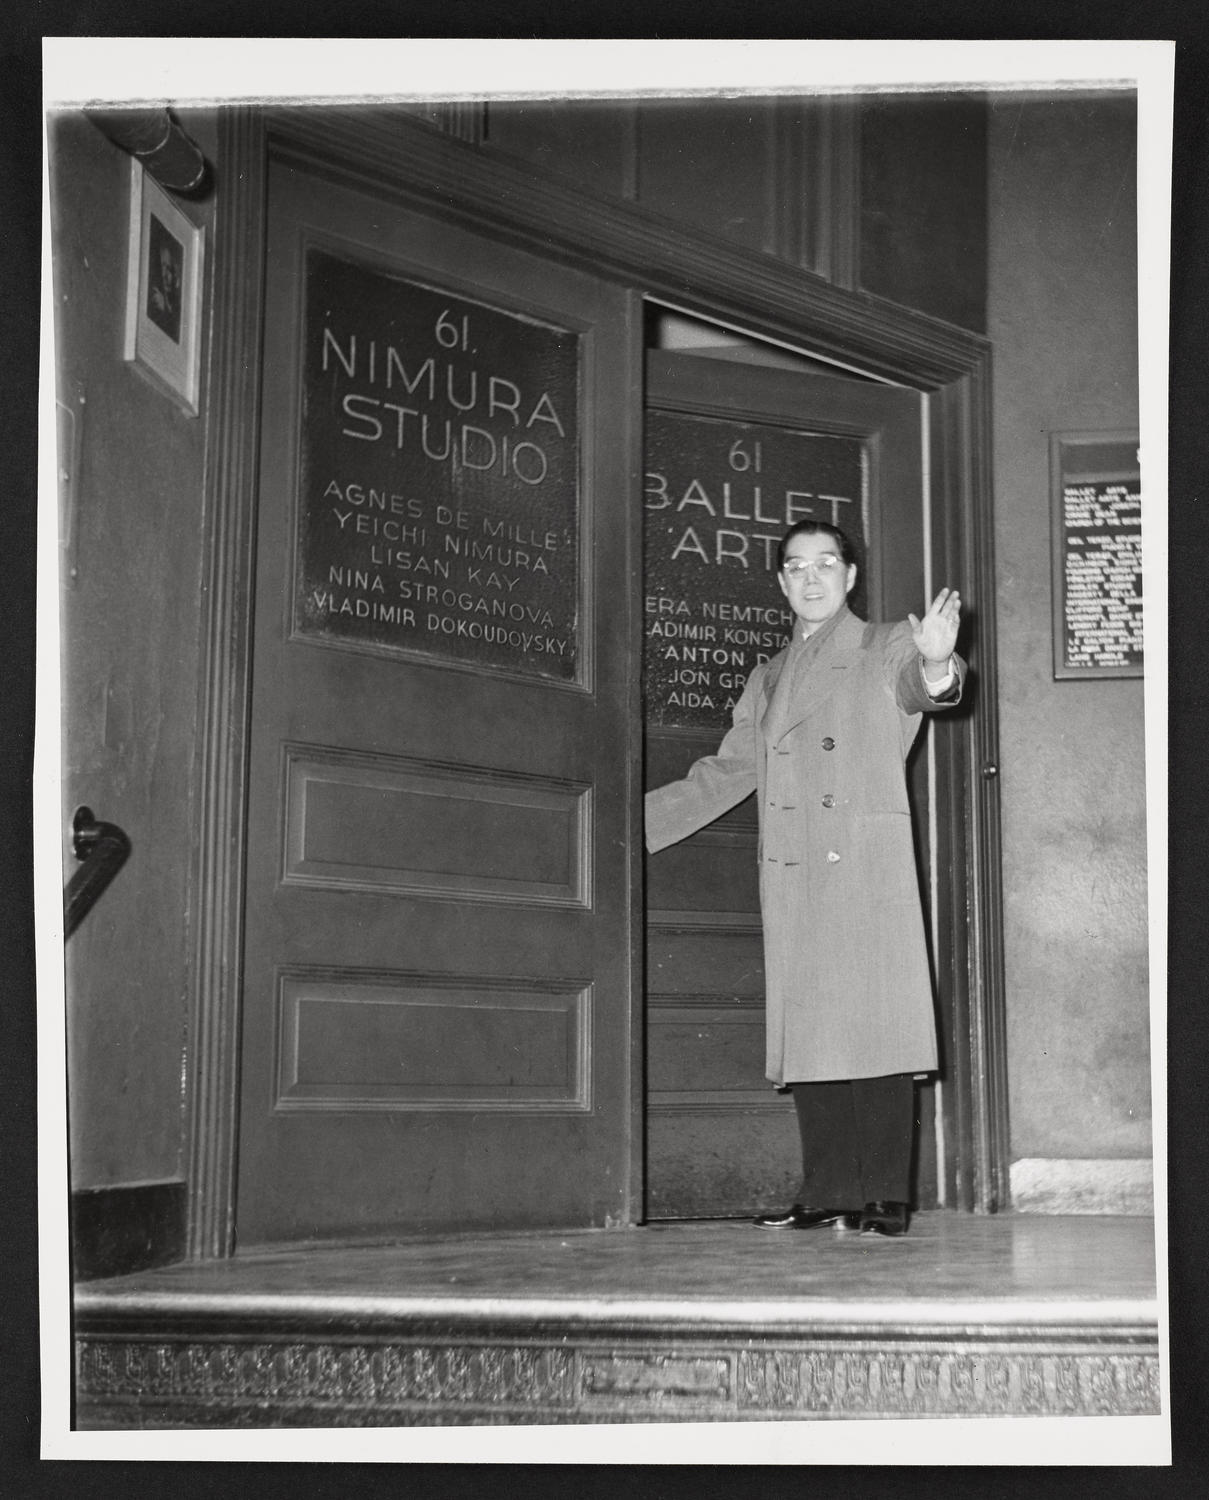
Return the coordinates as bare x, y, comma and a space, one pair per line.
131, 616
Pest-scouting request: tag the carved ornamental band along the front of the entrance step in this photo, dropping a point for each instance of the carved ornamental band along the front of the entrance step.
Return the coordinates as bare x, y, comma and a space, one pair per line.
293, 1382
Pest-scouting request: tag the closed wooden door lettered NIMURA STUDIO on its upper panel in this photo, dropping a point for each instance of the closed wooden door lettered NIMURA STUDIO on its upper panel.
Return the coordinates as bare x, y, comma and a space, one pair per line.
439, 946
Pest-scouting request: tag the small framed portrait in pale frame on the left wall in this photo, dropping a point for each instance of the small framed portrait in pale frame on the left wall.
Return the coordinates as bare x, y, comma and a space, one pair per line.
164, 292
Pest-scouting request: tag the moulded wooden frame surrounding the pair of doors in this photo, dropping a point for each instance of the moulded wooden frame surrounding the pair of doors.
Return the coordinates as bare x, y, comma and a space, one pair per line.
413, 164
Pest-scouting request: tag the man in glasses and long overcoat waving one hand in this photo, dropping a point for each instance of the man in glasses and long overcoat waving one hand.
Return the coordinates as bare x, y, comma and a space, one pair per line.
823, 734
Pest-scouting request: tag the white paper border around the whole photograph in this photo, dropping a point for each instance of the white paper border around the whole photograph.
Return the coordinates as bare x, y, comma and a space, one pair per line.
82, 71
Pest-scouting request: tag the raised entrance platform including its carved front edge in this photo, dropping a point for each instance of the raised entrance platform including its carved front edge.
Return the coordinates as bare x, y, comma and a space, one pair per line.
709, 1321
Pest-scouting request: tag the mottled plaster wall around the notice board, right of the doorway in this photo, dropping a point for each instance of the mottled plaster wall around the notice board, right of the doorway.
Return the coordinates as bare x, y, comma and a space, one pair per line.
1063, 314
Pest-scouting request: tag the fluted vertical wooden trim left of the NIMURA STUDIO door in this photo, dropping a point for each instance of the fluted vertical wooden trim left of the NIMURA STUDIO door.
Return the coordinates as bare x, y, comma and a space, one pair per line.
224, 685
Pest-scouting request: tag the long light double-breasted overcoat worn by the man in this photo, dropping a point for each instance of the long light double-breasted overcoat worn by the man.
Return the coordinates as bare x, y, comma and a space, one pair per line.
847, 970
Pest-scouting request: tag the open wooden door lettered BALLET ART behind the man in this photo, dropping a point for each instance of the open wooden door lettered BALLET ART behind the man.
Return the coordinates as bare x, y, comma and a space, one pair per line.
734, 454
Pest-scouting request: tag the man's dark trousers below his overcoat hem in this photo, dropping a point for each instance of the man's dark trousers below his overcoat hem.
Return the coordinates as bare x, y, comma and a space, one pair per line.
857, 1141
